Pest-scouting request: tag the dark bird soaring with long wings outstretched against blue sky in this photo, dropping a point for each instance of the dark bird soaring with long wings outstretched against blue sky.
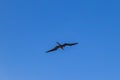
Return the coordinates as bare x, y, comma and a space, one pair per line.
61, 46
